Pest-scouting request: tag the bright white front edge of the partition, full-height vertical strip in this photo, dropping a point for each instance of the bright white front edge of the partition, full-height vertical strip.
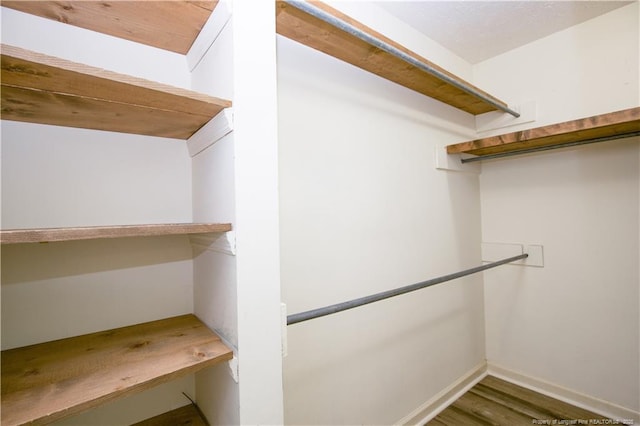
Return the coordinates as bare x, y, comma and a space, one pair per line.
256, 183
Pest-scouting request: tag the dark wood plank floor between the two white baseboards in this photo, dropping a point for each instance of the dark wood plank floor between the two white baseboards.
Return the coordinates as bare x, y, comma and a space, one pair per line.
496, 402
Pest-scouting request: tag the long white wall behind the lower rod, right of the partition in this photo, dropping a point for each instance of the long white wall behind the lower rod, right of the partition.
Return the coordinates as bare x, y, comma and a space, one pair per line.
363, 210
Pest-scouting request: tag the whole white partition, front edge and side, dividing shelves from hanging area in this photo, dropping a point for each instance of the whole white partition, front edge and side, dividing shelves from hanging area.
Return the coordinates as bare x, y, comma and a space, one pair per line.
236, 180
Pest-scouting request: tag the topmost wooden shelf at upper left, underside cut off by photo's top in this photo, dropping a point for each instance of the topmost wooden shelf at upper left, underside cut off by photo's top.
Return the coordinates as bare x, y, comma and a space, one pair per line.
168, 25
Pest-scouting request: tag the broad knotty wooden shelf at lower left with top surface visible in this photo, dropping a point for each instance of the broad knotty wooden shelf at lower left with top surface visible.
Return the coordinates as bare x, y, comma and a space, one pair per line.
49, 381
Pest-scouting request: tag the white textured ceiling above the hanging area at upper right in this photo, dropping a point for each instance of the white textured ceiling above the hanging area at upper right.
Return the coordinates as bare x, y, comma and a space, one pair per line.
478, 30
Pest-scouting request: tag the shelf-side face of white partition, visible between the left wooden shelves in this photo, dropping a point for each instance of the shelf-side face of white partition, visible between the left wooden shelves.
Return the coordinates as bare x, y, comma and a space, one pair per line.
215, 277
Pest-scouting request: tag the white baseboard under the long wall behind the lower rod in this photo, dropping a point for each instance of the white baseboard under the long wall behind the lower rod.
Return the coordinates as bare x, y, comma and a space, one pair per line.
446, 397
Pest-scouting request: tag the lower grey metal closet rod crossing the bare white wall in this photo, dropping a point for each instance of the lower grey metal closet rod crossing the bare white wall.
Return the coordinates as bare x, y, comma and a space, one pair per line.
339, 307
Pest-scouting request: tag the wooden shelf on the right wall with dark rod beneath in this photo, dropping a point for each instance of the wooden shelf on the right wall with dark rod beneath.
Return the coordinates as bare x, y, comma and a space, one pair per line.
605, 125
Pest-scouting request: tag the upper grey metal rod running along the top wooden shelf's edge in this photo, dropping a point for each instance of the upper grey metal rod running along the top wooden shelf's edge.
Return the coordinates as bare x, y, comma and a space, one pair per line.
348, 28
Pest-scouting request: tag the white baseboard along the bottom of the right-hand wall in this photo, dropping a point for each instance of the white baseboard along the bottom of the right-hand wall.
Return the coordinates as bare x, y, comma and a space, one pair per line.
578, 399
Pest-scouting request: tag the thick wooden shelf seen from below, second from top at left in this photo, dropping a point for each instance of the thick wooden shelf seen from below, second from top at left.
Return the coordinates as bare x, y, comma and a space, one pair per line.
37, 88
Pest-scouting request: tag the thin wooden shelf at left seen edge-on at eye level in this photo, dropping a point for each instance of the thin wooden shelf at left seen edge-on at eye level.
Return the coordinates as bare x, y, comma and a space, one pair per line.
45, 235
